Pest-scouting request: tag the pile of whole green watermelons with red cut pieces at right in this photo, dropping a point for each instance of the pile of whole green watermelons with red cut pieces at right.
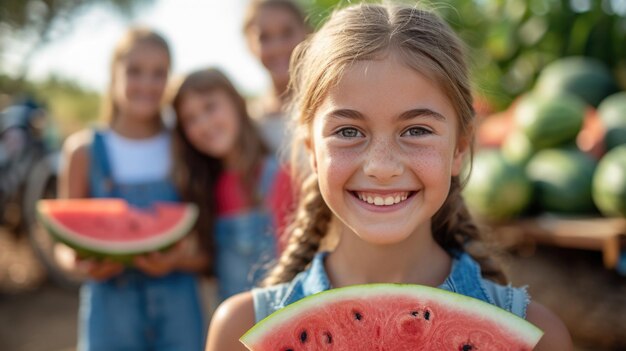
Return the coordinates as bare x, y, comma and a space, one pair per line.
564, 142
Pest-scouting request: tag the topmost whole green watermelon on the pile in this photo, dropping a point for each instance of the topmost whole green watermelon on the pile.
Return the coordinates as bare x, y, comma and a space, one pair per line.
584, 77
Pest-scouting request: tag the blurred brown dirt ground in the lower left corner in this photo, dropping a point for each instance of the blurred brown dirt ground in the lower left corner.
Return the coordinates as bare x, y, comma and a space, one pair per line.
35, 315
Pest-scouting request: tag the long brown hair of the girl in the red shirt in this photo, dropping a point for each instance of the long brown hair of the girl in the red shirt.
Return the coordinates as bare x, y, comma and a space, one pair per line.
195, 173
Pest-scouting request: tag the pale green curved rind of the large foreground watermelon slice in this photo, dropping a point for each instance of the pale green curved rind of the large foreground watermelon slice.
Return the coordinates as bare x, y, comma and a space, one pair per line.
525, 331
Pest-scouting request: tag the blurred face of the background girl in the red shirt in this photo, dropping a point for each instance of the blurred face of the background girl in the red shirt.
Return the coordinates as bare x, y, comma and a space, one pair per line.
210, 121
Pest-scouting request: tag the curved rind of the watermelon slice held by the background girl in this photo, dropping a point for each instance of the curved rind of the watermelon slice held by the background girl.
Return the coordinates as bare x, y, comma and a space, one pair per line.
118, 251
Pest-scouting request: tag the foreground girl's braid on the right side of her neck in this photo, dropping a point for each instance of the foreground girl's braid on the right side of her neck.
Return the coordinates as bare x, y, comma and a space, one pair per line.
454, 228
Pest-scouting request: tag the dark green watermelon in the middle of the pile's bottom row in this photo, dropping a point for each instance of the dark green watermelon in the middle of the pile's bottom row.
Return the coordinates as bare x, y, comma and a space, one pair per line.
562, 180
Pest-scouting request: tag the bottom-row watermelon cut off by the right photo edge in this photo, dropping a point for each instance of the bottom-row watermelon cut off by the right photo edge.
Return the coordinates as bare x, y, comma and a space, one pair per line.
609, 183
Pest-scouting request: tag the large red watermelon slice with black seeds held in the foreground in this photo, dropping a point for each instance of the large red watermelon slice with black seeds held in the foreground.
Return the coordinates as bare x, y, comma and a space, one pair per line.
391, 317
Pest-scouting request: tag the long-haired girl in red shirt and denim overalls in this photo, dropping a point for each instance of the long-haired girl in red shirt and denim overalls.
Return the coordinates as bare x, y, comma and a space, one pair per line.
225, 168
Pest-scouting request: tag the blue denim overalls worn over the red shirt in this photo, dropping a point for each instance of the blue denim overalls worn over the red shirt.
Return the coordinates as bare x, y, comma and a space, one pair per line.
245, 242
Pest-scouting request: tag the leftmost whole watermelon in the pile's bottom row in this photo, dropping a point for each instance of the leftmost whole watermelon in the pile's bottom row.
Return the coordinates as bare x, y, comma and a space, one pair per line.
496, 190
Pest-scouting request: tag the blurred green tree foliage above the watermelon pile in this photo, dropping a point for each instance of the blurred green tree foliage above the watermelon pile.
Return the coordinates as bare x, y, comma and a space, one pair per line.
512, 40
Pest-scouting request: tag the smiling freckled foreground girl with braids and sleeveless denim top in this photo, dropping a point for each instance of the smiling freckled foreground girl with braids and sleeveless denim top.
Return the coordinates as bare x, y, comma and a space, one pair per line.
383, 107
